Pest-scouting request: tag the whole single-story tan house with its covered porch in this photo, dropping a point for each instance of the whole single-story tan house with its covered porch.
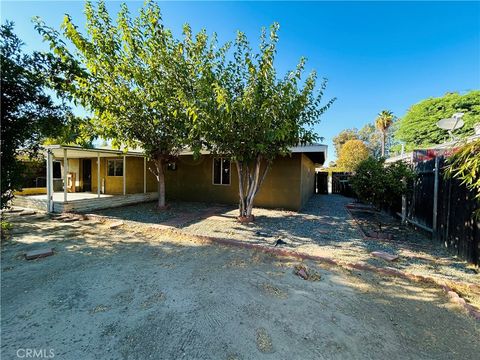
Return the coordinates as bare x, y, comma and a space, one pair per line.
125, 179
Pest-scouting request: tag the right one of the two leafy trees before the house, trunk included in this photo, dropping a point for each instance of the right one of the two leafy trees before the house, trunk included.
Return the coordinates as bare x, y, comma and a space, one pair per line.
254, 116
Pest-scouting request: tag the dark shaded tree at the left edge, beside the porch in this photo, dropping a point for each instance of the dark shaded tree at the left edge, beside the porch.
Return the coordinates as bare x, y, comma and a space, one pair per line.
29, 114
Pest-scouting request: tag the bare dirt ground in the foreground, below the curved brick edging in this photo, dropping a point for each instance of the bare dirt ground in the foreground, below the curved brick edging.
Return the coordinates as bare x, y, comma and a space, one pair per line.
116, 294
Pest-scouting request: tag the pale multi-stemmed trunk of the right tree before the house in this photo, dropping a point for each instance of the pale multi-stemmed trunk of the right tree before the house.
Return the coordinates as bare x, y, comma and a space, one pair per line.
249, 182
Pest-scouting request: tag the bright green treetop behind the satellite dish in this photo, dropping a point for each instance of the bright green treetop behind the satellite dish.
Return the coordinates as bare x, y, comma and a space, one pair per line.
418, 127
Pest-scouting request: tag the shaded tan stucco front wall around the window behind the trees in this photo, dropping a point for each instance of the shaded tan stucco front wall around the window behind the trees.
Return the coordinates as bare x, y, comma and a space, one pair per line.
192, 181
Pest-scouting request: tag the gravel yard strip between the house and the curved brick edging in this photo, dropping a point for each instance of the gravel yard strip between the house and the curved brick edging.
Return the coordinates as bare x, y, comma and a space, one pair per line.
322, 228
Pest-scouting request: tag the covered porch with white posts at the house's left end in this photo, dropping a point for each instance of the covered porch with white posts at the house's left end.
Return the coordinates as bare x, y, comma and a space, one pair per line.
82, 180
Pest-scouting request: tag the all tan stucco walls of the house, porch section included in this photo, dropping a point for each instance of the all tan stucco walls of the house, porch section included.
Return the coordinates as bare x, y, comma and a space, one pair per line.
288, 184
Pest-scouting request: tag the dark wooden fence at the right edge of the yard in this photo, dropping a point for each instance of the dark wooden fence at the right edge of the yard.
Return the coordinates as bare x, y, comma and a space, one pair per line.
443, 206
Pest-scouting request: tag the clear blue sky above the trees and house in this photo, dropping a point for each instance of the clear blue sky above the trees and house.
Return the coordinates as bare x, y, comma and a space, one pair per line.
376, 55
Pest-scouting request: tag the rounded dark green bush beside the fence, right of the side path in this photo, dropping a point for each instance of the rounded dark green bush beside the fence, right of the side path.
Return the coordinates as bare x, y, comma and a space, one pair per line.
379, 184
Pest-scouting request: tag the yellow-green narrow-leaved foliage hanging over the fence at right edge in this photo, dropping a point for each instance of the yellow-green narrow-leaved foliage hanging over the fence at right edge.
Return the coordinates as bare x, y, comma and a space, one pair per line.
465, 166
